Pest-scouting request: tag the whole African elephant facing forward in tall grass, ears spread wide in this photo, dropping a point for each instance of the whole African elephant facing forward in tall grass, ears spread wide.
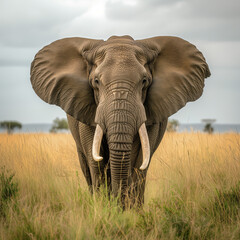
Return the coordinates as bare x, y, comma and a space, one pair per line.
118, 95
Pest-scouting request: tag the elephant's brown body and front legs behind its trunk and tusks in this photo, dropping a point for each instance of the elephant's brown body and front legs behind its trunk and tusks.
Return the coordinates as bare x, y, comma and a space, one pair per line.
97, 172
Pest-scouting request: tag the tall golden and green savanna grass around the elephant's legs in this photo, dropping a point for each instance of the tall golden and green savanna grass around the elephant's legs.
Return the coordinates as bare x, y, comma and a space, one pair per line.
192, 192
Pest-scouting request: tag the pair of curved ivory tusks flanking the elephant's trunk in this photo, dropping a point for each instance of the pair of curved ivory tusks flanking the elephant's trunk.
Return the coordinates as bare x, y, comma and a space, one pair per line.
98, 135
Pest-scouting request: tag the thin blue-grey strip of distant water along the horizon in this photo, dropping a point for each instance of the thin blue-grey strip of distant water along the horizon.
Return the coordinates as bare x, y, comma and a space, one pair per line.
218, 128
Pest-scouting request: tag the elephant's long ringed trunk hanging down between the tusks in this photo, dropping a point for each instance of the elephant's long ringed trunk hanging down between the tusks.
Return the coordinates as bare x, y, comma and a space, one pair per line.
123, 118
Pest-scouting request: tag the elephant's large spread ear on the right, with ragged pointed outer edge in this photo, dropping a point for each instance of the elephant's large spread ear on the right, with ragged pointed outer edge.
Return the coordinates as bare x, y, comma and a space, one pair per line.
178, 71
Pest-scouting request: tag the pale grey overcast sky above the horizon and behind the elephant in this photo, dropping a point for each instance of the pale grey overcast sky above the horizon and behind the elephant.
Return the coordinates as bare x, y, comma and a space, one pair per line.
28, 25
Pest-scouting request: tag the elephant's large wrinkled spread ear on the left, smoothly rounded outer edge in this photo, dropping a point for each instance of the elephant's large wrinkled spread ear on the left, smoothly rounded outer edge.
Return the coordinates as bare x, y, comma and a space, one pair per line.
59, 75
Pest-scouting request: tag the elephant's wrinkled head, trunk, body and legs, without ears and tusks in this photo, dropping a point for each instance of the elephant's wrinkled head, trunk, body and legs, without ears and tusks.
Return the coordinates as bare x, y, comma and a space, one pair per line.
120, 92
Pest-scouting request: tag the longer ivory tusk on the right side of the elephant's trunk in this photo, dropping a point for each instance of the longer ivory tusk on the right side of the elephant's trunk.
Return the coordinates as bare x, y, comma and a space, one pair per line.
145, 146
